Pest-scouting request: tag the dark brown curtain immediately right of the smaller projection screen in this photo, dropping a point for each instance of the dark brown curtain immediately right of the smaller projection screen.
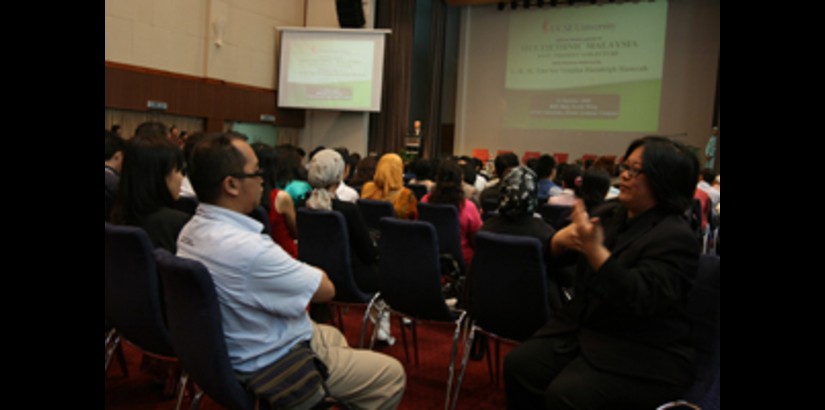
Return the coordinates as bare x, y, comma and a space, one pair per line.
389, 127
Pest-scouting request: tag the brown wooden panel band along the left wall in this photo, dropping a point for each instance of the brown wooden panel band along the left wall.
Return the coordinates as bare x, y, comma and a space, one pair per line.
130, 87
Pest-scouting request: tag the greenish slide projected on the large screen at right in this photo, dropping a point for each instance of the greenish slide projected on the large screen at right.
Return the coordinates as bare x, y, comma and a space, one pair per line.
586, 68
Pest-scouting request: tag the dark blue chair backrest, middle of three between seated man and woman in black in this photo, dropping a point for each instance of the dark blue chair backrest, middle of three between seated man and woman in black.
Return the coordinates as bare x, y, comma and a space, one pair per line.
410, 269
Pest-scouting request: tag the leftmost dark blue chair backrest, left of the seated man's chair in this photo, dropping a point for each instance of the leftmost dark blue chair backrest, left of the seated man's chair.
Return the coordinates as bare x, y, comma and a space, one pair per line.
132, 291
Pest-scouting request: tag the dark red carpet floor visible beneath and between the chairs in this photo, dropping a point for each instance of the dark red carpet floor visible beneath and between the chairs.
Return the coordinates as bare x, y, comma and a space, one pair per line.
426, 382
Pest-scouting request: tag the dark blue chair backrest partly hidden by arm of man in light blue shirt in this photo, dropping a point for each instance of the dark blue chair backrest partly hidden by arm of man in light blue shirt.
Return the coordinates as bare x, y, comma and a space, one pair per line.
323, 241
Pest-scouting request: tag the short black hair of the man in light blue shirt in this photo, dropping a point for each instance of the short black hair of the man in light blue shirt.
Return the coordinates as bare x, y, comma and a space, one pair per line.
213, 159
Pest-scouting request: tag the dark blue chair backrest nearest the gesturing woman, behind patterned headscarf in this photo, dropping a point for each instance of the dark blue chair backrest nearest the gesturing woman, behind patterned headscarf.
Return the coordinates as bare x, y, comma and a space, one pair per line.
508, 288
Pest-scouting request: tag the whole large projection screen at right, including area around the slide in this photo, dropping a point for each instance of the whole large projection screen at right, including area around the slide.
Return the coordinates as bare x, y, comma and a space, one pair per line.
586, 79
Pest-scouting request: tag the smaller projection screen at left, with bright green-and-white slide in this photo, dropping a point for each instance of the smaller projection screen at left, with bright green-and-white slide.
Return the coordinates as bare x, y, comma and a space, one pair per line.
331, 69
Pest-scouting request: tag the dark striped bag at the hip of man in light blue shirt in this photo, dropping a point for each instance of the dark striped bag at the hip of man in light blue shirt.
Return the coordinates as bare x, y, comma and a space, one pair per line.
295, 381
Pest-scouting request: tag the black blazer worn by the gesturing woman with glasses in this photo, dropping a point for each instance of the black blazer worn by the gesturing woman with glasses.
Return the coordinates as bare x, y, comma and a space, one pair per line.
630, 316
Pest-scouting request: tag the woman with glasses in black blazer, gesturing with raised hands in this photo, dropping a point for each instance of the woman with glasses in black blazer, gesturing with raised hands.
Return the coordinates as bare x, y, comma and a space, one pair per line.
623, 341
